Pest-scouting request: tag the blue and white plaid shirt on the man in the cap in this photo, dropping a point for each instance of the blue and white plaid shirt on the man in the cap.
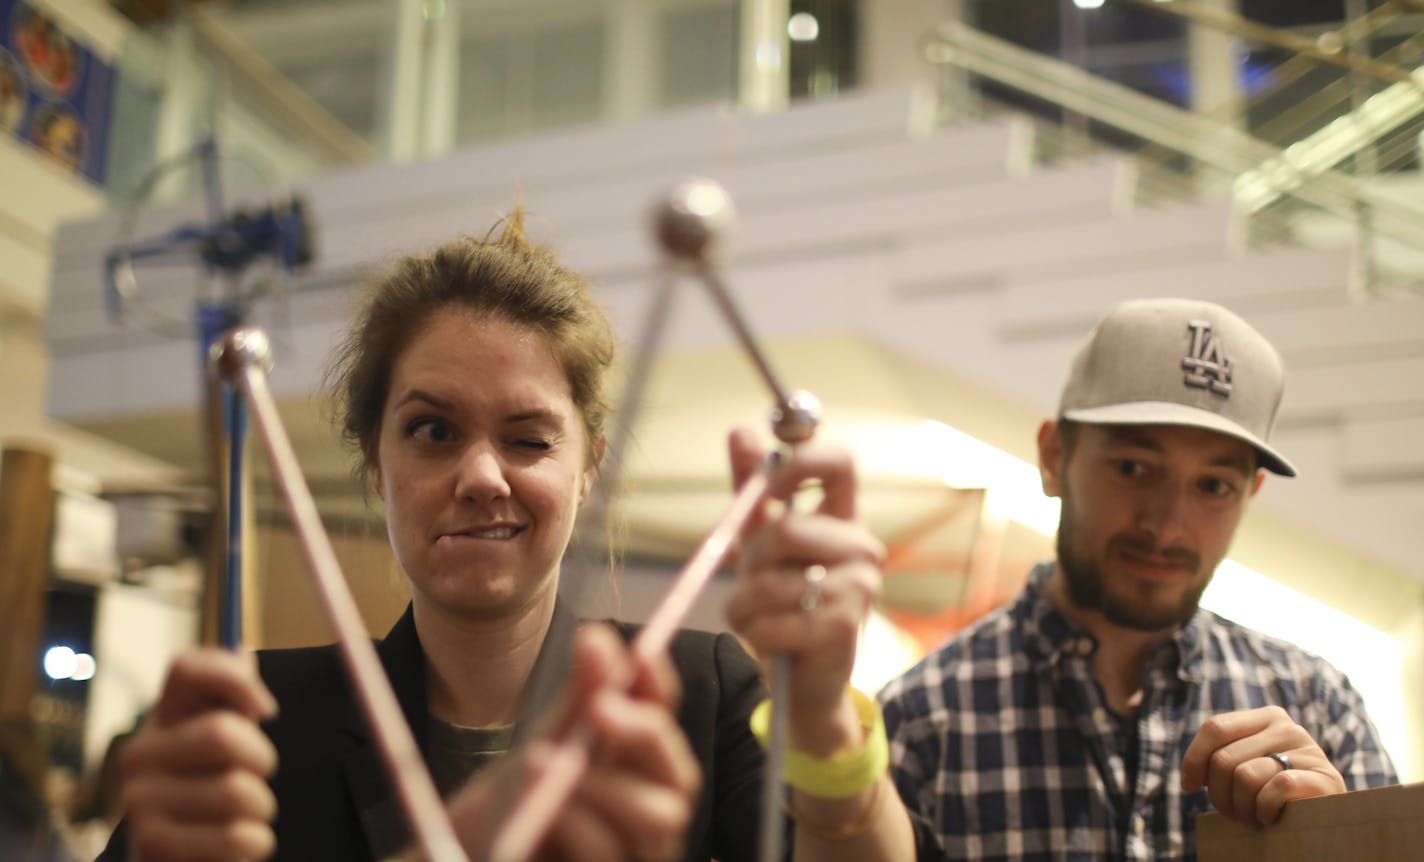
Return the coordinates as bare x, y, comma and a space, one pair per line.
1003, 747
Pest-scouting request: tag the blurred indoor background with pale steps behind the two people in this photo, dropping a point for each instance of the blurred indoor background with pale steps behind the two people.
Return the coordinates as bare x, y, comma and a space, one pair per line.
936, 202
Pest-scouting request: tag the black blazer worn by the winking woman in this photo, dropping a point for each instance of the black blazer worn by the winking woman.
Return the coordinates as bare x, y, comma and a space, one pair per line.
334, 799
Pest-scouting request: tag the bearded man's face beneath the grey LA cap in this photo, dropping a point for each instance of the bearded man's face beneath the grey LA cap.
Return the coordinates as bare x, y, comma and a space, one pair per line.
1148, 514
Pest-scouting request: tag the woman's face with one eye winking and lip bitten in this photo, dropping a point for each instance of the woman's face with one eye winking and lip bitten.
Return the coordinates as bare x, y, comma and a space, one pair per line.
482, 465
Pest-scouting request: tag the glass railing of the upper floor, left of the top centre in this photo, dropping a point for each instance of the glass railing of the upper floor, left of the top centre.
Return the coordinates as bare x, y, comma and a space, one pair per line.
288, 89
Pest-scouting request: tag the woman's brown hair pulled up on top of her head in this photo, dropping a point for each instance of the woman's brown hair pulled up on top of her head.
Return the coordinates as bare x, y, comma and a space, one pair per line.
503, 276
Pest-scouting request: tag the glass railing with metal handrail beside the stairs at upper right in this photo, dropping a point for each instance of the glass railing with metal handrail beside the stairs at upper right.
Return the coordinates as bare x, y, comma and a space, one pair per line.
1311, 137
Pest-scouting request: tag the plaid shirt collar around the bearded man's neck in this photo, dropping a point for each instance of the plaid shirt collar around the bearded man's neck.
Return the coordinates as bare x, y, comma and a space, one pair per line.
1049, 635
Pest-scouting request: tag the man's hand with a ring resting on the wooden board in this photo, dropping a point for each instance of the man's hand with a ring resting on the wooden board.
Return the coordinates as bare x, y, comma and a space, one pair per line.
1231, 759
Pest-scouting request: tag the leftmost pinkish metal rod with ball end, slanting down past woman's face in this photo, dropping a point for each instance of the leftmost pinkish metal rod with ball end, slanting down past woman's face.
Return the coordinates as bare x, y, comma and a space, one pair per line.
241, 358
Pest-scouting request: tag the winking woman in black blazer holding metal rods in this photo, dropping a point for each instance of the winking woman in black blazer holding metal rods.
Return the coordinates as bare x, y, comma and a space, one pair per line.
472, 387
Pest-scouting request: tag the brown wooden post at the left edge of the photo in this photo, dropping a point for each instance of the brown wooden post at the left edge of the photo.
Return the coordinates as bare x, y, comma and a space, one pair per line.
26, 526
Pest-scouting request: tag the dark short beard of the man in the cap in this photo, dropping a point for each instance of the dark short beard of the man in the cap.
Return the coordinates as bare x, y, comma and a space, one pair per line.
1089, 588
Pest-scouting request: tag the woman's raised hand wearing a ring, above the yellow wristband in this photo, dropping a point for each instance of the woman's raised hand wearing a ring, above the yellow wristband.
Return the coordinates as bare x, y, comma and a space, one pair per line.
807, 586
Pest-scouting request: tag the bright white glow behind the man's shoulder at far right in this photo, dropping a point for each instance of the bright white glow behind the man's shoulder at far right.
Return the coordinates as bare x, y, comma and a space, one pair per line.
1372, 659
